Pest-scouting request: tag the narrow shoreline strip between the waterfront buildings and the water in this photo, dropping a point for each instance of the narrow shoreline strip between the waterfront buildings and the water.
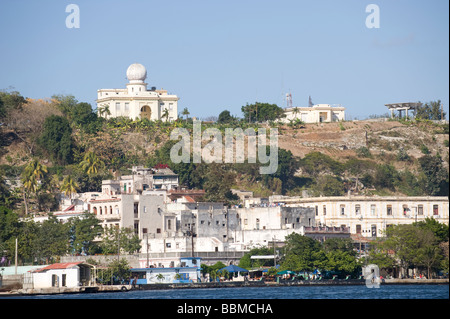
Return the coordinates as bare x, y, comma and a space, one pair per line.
205, 285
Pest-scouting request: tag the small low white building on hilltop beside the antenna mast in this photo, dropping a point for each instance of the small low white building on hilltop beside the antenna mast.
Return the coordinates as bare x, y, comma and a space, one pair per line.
316, 114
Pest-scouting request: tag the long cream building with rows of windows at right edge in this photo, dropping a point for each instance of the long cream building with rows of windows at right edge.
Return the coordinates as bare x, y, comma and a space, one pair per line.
369, 216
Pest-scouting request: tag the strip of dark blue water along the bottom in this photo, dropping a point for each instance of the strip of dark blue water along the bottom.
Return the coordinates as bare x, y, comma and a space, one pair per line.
292, 292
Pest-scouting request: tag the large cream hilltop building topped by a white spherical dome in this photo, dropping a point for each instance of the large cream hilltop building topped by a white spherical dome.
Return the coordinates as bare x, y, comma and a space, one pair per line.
136, 101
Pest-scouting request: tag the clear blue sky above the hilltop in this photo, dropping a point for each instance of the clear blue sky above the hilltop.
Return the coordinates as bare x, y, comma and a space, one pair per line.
218, 55
